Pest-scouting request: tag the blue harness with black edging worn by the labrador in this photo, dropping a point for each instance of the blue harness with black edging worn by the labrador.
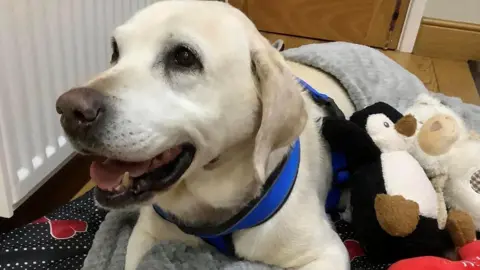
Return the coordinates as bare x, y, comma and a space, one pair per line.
275, 192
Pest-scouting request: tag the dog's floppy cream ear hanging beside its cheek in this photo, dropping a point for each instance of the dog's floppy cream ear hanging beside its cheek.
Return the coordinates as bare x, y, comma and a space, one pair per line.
283, 113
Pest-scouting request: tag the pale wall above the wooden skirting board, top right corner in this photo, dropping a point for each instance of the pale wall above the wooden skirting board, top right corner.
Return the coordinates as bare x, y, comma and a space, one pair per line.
454, 10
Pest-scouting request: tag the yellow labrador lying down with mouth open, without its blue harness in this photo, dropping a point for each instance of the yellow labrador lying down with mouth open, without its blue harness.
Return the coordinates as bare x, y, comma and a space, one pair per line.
195, 112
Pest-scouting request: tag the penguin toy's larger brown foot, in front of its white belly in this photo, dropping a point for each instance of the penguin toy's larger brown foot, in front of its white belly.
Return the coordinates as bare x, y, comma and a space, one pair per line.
396, 215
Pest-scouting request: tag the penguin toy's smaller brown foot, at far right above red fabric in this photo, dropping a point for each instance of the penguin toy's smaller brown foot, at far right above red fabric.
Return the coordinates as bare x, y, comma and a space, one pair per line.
461, 228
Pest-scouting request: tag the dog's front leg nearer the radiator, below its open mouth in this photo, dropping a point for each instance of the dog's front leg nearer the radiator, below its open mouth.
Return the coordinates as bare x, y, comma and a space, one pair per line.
150, 230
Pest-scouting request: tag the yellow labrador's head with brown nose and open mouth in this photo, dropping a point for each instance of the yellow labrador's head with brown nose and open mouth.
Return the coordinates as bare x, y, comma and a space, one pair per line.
188, 80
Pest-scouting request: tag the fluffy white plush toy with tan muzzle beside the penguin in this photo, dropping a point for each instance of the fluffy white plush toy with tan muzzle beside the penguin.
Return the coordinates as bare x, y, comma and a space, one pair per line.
450, 155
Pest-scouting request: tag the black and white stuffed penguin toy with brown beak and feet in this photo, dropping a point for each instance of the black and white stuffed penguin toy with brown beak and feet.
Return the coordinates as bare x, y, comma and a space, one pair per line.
394, 206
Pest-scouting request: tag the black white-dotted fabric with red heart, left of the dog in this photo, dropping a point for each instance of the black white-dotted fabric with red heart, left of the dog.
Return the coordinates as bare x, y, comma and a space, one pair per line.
60, 240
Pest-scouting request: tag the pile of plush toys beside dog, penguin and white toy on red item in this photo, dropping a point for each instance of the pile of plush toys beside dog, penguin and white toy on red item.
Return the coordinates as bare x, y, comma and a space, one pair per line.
414, 184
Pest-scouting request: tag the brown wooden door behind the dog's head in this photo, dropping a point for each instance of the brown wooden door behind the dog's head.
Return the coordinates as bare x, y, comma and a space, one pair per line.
371, 22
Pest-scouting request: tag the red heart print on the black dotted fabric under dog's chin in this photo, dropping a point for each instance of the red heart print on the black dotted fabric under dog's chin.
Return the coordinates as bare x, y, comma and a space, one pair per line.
63, 229
